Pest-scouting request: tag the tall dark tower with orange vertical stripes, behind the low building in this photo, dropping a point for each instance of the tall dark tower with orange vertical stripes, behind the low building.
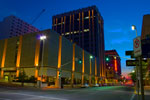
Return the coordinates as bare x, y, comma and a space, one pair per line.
85, 28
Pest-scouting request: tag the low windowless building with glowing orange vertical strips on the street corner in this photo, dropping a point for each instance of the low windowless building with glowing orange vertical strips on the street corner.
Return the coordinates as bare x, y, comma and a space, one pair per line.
60, 59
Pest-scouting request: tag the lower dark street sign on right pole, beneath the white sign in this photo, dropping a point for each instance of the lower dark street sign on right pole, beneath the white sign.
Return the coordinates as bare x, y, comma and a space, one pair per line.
135, 62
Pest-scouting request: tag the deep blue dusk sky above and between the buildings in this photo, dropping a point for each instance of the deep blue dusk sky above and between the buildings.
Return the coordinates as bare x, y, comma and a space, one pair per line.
118, 17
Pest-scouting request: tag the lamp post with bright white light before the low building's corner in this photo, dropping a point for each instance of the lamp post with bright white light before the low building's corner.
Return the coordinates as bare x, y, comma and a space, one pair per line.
42, 38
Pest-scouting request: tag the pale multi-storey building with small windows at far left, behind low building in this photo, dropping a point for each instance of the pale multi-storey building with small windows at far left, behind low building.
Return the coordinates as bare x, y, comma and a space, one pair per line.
13, 26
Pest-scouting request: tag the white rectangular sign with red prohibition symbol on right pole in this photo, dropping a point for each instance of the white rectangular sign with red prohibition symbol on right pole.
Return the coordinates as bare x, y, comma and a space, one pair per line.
137, 47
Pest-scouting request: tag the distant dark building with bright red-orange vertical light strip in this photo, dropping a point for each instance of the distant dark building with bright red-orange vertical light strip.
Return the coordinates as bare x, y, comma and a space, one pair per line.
113, 64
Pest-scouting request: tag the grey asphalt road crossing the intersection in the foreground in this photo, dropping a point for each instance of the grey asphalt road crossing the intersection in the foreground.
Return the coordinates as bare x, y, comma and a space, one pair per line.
95, 93
